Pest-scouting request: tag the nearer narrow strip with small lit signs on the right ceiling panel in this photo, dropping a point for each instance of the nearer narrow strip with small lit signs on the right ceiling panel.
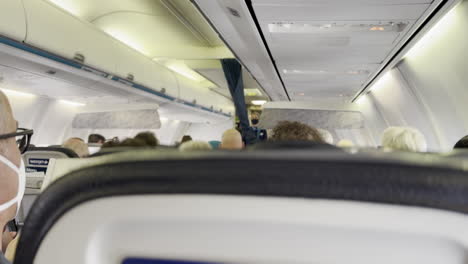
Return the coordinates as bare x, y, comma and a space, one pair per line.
304, 28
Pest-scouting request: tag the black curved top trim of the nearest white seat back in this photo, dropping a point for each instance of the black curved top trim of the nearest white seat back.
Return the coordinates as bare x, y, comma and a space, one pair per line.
405, 180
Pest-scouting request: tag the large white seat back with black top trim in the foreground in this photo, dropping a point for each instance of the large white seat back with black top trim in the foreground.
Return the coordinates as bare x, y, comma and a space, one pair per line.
255, 207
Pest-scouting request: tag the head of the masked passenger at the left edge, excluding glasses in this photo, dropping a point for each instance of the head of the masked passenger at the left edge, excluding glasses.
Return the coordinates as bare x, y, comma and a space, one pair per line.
10, 161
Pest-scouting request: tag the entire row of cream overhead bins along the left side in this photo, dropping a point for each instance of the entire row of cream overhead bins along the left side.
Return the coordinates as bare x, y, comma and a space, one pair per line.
58, 32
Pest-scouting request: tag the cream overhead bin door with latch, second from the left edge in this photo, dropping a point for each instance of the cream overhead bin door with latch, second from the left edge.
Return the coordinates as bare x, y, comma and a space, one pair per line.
56, 31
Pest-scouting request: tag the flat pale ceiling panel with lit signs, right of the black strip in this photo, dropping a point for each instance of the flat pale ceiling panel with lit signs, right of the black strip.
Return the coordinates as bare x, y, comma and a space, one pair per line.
337, 56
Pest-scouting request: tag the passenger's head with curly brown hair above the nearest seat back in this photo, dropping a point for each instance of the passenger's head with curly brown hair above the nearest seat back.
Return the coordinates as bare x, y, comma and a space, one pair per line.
295, 131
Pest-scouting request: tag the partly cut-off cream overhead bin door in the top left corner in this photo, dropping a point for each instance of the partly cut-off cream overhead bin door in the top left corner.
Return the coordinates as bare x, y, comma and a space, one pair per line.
12, 19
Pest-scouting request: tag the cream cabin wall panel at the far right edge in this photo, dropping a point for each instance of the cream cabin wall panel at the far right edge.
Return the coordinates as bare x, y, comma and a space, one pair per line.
437, 70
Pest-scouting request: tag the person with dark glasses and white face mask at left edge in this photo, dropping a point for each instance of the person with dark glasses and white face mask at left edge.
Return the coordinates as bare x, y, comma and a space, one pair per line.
12, 171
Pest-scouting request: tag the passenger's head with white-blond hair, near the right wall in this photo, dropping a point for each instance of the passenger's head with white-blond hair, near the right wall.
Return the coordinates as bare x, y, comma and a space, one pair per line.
404, 138
